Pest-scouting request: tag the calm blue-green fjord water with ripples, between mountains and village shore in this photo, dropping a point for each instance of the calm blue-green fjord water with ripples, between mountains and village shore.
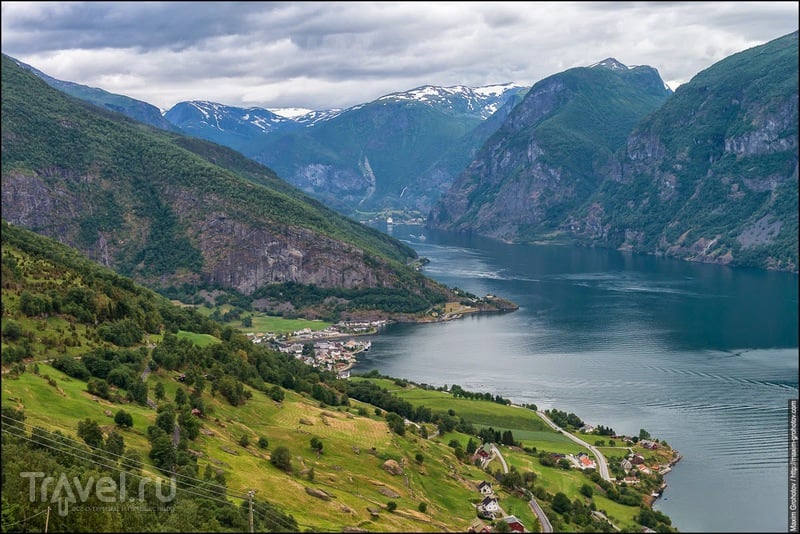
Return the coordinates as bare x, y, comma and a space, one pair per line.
702, 356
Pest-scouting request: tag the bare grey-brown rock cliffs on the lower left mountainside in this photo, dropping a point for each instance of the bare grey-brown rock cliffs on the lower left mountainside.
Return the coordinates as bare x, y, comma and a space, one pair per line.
236, 253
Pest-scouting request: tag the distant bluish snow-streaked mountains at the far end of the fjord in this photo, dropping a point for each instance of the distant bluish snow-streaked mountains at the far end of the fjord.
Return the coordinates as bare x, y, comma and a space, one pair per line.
382, 154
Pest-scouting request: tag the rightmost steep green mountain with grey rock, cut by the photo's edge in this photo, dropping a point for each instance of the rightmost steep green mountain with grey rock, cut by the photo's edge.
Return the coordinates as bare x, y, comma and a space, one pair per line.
713, 175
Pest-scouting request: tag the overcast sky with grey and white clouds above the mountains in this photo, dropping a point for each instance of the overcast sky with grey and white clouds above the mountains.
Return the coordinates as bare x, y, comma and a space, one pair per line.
323, 55
